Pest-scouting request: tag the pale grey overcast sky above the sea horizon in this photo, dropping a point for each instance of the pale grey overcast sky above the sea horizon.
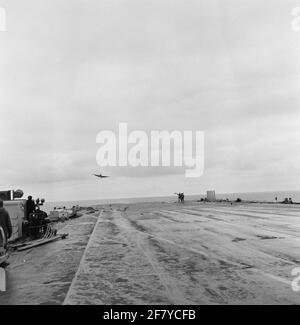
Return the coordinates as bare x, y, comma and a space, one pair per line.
71, 68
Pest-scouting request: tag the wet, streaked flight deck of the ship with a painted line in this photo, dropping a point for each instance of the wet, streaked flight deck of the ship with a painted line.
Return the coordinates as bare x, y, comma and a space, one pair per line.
163, 253
